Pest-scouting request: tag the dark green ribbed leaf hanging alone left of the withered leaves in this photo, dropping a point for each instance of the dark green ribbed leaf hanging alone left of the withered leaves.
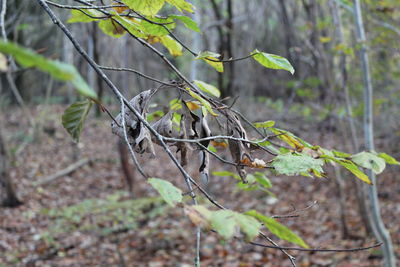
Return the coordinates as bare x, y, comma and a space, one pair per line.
74, 117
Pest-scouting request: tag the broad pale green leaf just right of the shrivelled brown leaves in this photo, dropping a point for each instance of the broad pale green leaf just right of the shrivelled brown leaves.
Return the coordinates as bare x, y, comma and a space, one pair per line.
294, 164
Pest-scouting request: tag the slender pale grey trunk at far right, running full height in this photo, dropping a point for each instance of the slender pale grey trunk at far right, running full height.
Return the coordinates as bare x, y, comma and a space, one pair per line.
380, 231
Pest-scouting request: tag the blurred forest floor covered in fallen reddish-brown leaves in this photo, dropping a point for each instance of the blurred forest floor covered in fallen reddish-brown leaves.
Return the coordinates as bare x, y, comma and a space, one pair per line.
33, 234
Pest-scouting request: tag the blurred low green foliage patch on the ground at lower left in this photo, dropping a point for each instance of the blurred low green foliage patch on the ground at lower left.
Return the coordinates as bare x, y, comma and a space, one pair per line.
102, 216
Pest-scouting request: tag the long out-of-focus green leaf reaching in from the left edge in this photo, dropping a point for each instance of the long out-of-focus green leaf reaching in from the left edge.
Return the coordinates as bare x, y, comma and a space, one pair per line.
58, 70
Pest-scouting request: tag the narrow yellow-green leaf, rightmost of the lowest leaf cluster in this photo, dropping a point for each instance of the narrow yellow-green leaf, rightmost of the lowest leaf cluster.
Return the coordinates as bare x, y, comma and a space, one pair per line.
278, 229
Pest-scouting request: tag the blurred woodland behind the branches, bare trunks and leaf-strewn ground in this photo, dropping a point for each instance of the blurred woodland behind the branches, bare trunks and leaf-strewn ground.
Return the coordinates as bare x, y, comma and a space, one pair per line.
85, 217
